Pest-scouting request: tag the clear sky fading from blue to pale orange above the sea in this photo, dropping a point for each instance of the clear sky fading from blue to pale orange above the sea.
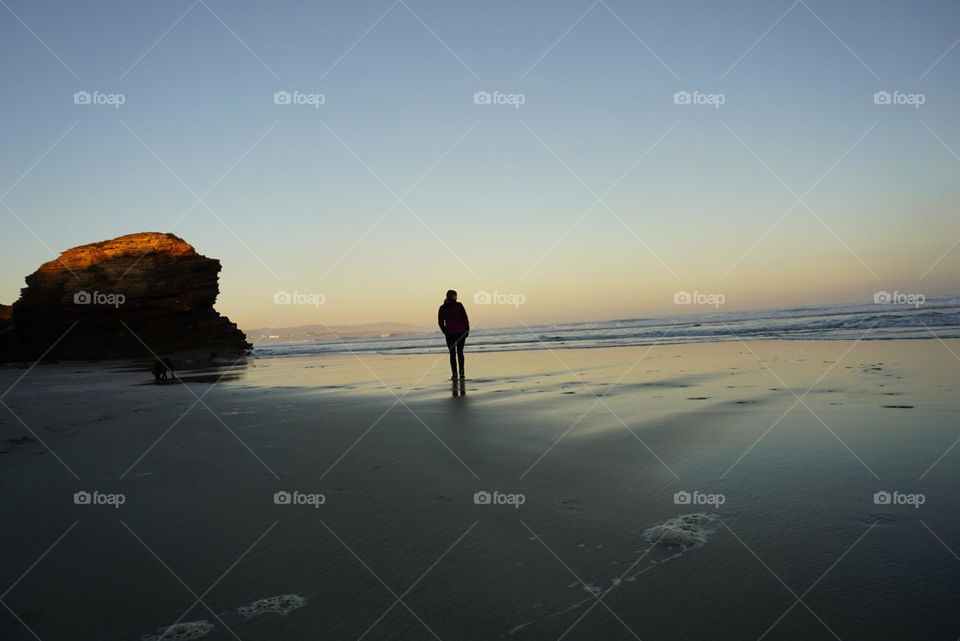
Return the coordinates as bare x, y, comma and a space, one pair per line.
627, 152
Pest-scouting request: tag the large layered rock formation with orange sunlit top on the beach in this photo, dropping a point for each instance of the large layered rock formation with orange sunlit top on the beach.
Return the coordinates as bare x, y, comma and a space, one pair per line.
135, 296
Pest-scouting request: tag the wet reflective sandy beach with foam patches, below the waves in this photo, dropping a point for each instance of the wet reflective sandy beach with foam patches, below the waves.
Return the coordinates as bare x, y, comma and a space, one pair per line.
537, 501
